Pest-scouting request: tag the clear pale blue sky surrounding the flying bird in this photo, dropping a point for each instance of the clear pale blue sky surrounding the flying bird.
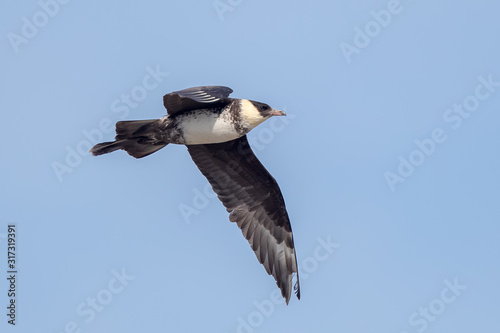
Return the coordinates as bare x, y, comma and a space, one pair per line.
389, 156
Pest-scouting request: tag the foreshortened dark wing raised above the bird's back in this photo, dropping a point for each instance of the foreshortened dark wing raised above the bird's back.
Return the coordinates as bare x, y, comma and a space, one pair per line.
196, 98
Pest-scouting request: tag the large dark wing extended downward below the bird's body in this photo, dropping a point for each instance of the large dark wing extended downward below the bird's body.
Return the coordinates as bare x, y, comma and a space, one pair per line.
254, 201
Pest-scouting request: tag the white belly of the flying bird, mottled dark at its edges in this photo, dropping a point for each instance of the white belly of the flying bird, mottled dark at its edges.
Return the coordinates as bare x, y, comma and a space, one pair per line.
207, 128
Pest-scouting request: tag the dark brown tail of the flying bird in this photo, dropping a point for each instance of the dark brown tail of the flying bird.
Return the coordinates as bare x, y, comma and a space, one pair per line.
136, 137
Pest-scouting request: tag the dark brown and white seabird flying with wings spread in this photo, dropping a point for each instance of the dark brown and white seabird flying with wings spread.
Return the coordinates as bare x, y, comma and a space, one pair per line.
213, 127
